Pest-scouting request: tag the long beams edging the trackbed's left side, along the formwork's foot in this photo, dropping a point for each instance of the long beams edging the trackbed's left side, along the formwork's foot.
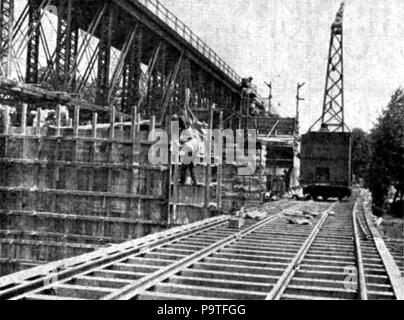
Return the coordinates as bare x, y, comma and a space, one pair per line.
27, 283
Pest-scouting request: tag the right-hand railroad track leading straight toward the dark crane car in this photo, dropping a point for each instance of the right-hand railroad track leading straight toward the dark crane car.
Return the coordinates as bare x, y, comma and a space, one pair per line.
342, 262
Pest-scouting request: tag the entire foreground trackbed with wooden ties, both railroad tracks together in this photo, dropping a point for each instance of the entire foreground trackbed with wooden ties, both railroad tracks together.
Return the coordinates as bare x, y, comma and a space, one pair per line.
333, 257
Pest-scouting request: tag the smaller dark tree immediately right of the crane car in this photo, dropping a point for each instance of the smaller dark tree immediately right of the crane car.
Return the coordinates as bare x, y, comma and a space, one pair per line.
360, 155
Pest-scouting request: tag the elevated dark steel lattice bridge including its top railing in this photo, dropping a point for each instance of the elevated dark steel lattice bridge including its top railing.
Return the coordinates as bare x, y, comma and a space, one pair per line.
112, 54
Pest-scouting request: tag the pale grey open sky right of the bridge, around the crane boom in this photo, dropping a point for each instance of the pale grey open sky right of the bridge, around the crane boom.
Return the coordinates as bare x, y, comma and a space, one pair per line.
287, 41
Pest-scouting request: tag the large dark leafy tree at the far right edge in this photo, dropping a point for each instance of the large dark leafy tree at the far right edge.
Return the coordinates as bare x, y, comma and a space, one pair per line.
387, 160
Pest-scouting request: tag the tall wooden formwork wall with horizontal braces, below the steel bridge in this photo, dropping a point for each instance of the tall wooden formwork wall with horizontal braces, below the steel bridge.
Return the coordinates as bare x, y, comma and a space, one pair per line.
65, 191
